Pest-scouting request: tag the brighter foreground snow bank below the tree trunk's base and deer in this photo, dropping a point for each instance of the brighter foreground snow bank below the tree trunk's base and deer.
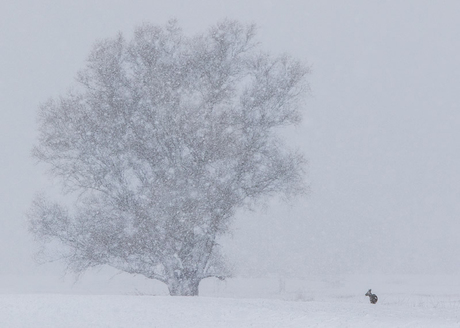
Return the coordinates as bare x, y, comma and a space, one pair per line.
76, 311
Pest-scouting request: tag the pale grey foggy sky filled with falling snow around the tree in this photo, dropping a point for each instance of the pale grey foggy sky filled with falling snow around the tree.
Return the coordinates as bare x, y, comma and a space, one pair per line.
380, 131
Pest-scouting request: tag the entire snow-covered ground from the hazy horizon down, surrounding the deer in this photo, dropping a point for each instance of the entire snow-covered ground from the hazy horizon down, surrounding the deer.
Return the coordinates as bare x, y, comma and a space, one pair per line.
404, 301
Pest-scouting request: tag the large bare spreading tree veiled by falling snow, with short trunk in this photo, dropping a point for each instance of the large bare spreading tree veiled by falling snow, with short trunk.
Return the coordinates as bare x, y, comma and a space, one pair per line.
162, 139
